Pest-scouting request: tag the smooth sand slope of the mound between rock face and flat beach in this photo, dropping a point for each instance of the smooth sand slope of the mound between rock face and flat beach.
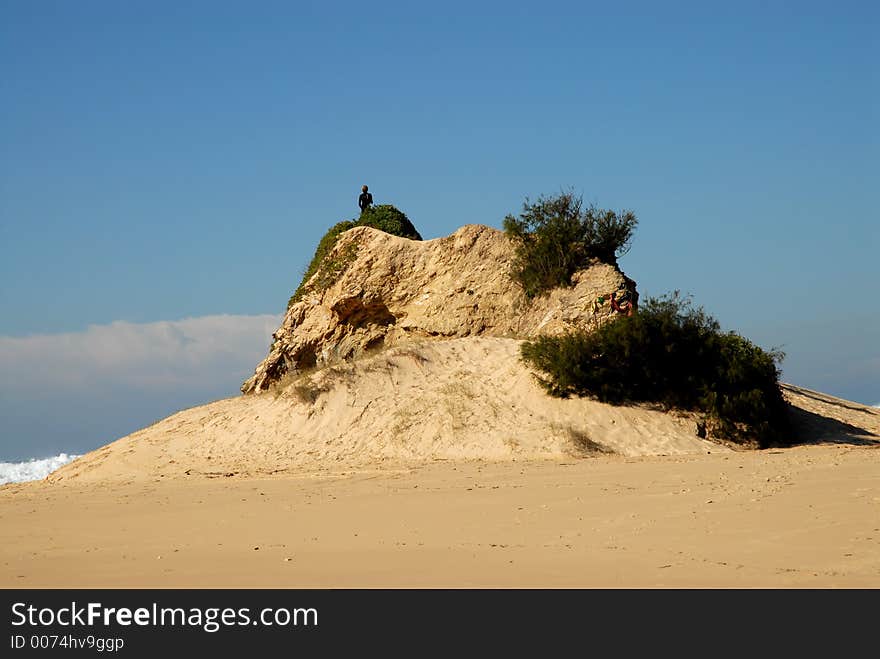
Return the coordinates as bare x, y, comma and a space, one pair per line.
457, 399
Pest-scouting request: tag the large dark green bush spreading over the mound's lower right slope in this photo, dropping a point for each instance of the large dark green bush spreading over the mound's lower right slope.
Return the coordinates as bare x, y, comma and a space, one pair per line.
672, 354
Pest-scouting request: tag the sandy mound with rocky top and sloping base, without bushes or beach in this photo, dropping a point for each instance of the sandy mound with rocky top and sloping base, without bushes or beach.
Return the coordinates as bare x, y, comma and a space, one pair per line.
422, 399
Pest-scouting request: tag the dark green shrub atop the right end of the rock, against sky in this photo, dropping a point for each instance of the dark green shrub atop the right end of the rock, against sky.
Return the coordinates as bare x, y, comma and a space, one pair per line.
557, 236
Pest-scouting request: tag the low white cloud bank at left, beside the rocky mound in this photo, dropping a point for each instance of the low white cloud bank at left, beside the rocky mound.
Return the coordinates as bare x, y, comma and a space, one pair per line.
158, 355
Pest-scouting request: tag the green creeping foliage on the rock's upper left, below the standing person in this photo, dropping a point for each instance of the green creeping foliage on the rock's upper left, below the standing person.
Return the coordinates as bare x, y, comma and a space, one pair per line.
385, 218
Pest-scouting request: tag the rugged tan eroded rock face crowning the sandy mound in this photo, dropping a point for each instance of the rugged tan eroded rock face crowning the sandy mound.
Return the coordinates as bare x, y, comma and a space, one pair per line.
392, 289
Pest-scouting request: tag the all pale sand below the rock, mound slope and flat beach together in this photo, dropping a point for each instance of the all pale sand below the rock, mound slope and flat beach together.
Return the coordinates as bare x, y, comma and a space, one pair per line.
214, 497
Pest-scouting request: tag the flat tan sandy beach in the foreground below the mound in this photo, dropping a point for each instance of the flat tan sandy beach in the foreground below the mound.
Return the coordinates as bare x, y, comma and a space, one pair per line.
807, 516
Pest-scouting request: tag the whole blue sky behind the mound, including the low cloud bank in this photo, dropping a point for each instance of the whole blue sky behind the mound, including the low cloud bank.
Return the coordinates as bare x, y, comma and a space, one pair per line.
167, 168
